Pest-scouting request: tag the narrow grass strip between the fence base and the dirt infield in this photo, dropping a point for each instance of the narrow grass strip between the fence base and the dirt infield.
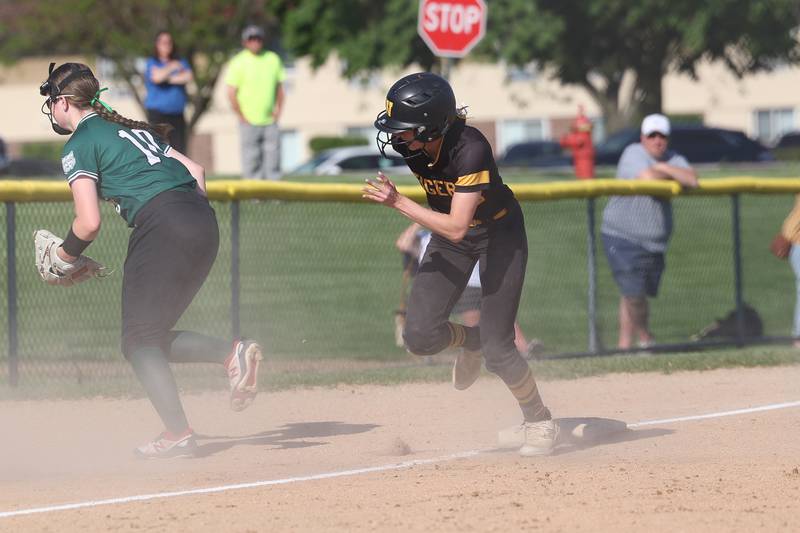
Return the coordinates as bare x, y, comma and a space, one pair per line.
116, 380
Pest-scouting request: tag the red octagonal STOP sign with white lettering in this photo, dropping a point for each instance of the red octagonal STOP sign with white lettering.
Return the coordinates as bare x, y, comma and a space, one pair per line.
451, 28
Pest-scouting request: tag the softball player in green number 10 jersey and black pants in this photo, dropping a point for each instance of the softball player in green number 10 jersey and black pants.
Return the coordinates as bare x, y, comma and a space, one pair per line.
160, 193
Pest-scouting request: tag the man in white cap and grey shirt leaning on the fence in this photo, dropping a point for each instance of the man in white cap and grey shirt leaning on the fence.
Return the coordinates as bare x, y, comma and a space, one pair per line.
636, 229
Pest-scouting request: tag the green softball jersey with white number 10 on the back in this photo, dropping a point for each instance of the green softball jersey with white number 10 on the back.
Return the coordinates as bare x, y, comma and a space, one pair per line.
130, 166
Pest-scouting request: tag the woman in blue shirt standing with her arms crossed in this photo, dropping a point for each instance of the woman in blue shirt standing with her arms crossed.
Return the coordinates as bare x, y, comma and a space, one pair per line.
165, 78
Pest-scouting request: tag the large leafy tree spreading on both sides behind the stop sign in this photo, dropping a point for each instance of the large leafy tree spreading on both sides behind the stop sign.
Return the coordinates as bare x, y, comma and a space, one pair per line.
592, 43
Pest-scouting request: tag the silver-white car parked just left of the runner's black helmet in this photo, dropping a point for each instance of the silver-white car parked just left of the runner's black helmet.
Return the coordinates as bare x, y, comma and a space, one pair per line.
352, 159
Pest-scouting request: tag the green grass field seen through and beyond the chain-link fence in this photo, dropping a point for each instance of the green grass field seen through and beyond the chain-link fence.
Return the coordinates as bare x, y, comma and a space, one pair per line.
322, 280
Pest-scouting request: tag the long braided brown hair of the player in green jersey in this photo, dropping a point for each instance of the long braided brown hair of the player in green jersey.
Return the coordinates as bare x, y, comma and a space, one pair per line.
84, 92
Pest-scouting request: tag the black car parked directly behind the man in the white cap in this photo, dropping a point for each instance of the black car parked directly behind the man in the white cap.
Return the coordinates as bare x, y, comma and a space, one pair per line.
698, 144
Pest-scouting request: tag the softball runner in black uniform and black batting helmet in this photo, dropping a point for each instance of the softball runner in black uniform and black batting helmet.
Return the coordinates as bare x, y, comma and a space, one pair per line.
474, 217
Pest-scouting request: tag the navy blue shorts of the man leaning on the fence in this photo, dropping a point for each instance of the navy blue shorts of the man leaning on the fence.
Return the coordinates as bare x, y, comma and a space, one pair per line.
636, 271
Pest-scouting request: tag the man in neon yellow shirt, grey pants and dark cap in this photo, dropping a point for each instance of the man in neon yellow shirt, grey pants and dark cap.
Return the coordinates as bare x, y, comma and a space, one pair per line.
255, 90
